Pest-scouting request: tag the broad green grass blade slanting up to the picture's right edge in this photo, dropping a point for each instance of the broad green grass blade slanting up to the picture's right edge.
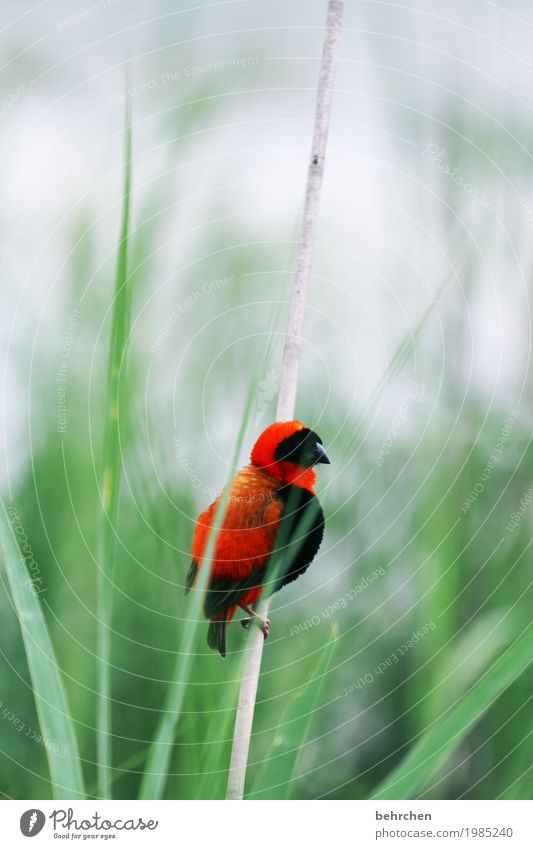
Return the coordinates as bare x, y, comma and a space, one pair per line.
435, 746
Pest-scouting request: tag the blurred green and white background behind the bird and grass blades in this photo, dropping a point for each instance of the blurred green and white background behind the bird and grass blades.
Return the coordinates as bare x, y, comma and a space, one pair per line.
424, 243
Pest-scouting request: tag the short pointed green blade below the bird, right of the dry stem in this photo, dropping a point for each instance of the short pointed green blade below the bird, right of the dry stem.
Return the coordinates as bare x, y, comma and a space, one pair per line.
276, 777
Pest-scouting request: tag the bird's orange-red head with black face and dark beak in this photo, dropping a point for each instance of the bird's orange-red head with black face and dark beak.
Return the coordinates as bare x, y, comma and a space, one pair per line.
289, 450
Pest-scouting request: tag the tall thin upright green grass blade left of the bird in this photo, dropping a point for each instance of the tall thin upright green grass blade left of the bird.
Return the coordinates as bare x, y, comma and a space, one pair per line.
111, 477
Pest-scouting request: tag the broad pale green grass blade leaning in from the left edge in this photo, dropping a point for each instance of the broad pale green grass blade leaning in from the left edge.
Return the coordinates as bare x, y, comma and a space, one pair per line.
50, 697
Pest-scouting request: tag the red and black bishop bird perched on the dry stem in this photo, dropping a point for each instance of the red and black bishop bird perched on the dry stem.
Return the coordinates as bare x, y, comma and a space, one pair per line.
271, 503
